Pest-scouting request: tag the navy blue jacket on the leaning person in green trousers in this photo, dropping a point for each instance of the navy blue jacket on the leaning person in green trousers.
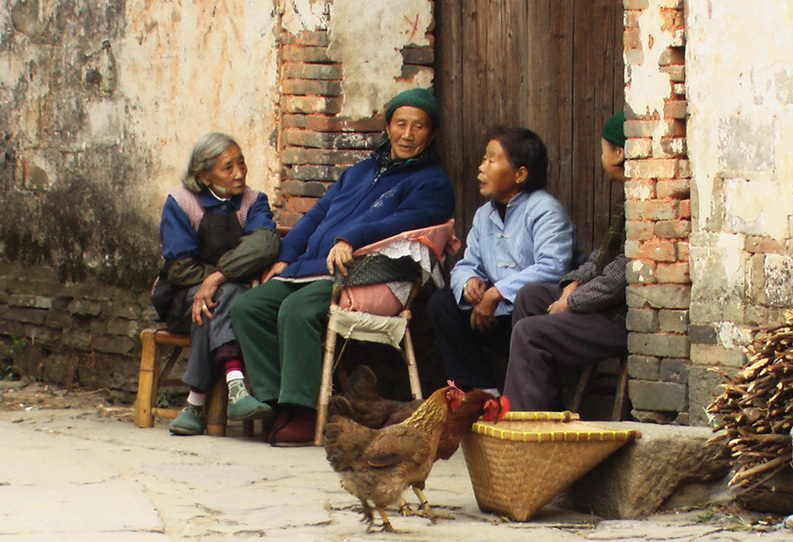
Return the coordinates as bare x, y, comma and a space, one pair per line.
363, 207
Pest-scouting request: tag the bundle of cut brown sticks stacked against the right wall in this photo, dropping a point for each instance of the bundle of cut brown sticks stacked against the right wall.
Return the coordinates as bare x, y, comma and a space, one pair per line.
756, 408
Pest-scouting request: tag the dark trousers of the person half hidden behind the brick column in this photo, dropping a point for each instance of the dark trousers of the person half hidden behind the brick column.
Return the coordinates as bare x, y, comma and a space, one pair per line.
545, 344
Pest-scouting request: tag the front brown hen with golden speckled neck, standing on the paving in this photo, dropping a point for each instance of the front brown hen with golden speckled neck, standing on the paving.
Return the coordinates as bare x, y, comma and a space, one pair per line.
377, 465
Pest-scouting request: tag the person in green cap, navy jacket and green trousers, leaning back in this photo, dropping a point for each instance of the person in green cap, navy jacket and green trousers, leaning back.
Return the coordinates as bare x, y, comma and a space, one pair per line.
280, 323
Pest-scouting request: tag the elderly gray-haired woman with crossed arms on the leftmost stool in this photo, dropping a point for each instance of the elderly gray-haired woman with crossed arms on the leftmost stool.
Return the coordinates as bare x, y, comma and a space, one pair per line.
217, 235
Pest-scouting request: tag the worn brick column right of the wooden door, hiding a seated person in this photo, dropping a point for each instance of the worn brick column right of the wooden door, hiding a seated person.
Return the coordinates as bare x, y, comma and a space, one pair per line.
658, 212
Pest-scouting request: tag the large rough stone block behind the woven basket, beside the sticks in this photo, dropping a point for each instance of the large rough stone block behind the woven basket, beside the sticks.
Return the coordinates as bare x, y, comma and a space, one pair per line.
635, 481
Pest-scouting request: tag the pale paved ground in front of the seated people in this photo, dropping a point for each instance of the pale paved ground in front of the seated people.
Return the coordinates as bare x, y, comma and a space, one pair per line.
88, 474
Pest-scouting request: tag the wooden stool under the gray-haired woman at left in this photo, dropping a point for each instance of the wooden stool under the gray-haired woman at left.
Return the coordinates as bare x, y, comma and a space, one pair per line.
154, 375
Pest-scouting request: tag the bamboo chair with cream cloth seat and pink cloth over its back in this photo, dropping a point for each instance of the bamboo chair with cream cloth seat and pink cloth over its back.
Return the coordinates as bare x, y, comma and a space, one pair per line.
355, 322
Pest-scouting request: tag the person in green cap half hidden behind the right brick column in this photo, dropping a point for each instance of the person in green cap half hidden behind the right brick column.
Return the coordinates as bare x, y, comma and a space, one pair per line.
583, 319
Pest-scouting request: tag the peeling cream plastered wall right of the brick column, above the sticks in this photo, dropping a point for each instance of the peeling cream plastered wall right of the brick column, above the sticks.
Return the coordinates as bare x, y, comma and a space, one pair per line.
740, 140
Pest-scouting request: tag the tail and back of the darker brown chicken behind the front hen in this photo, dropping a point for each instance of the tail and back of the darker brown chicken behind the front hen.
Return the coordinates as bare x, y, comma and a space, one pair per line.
368, 407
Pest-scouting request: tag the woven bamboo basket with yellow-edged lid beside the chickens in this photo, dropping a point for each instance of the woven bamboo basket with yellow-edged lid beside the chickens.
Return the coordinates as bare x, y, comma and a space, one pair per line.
518, 465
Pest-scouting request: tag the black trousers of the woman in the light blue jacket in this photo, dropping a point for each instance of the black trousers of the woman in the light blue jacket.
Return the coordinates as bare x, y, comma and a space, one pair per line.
462, 347
